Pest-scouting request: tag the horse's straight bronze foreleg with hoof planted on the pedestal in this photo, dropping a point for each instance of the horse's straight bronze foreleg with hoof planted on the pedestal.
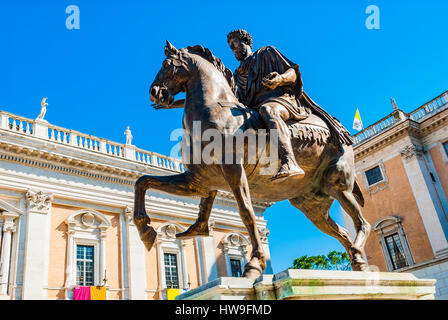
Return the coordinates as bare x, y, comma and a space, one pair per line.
237, 180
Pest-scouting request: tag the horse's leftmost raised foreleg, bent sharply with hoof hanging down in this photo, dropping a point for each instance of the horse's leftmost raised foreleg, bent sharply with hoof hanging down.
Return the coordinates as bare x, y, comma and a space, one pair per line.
179, 184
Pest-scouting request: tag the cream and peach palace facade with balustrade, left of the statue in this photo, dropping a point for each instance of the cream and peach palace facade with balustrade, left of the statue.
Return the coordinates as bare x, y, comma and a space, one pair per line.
66, 219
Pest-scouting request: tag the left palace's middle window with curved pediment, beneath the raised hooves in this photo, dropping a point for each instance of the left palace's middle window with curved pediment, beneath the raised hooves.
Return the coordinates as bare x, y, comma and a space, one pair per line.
171, 258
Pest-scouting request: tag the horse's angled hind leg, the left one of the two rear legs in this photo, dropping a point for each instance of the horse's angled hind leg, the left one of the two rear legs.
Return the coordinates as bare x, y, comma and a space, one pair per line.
316, 209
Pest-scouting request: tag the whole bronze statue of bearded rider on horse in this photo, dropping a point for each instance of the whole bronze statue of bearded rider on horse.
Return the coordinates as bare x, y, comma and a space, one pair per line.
309, 140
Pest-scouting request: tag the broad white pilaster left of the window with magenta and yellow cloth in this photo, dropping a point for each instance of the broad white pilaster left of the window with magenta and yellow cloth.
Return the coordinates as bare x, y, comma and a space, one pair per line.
37, 245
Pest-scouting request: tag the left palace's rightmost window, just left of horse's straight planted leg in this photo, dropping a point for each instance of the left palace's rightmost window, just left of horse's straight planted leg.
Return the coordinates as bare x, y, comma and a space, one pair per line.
235, 248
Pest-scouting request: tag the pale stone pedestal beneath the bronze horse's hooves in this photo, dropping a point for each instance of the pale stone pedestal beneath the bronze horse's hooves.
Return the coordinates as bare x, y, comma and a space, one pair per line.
294, 284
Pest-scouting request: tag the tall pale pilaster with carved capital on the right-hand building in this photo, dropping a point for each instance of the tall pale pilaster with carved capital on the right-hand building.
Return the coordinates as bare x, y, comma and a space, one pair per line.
420, 182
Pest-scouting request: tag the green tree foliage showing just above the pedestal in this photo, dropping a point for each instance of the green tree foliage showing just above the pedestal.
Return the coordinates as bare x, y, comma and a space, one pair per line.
334, 260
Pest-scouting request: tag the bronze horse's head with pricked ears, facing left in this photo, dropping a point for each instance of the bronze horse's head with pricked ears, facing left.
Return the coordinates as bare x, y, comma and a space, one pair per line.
171, 78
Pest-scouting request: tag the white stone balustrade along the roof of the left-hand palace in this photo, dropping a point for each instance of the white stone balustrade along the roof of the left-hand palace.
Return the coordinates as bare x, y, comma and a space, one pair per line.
44, 130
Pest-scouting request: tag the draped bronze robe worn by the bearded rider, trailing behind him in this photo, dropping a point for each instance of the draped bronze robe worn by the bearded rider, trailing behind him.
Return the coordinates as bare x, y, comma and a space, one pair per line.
251, 92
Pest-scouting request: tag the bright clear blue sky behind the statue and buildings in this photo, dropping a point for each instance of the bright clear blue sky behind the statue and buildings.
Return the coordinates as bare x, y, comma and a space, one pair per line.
97, 78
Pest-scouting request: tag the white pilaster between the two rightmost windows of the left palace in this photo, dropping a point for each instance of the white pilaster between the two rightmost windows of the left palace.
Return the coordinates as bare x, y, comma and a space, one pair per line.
208, 255
